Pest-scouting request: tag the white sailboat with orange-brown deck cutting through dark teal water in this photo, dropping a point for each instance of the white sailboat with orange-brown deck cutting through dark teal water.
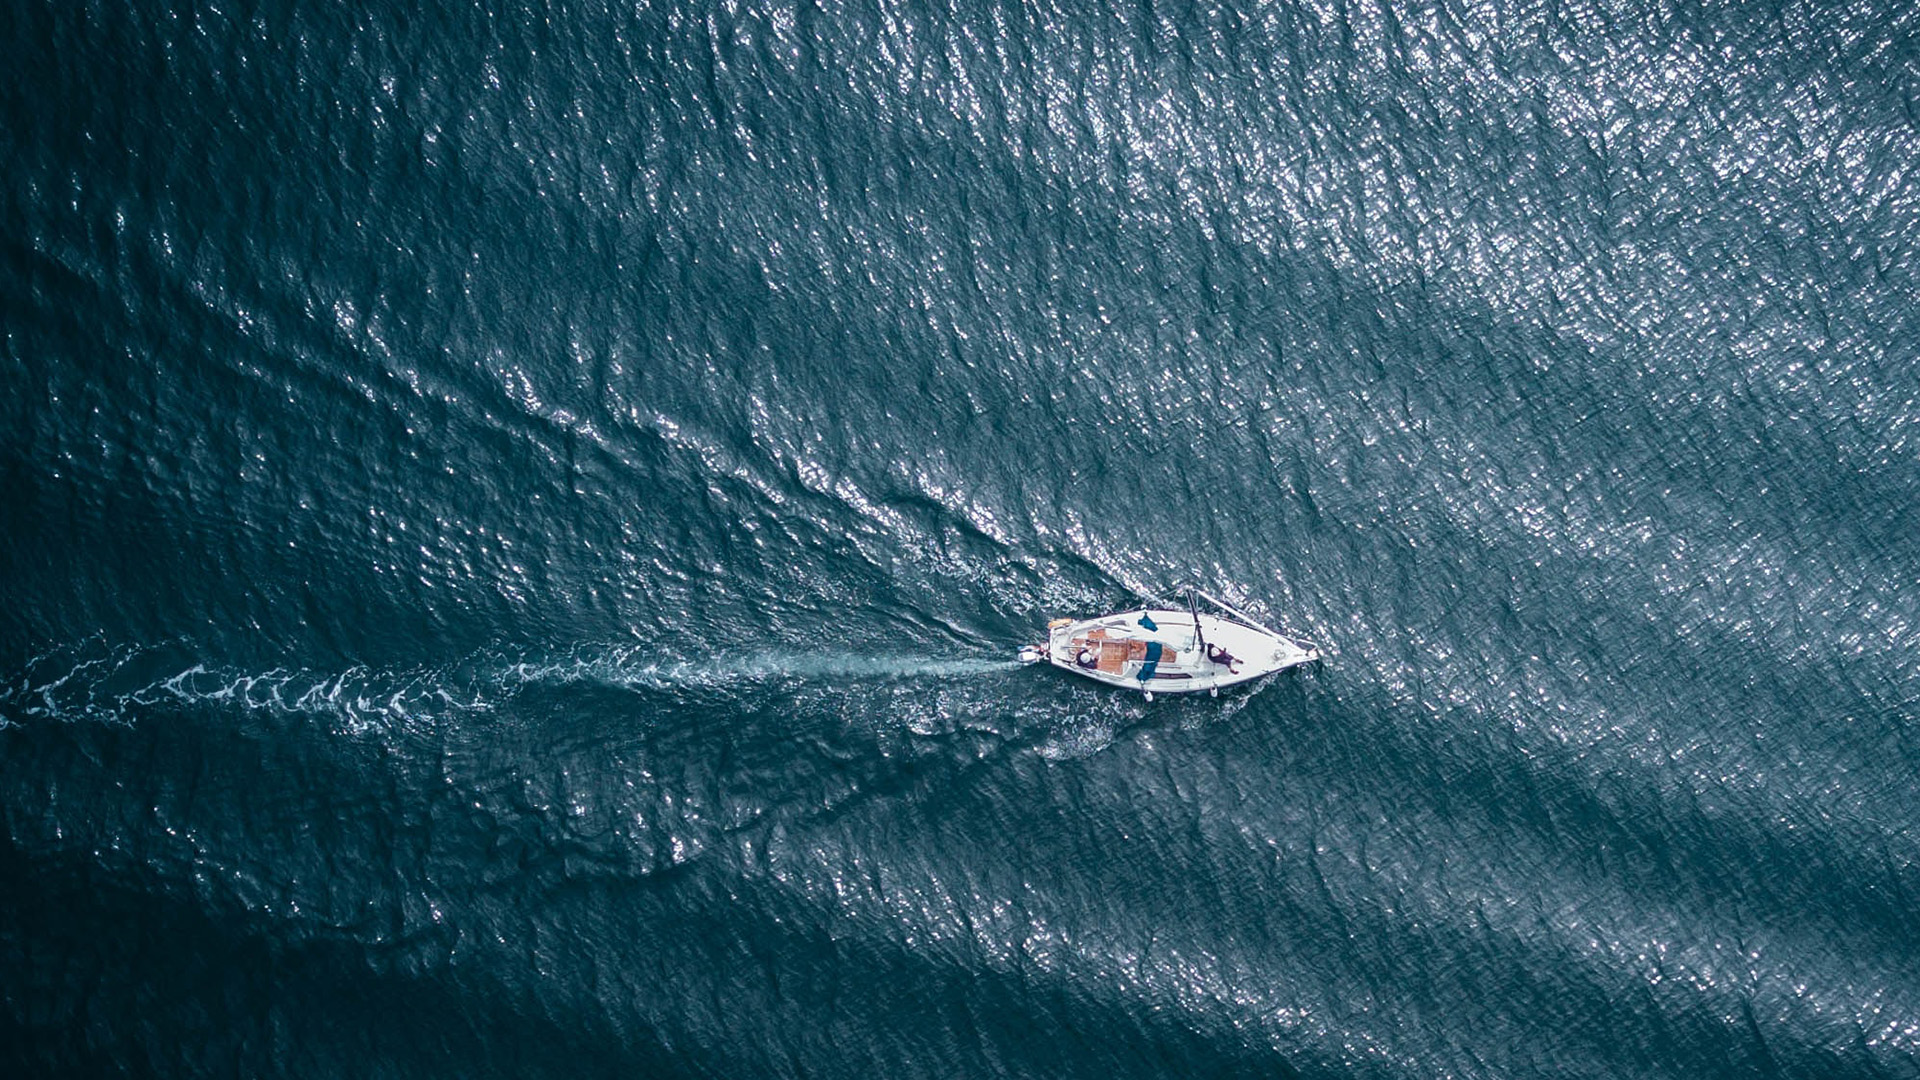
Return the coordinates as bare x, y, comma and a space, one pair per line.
1170, 650
